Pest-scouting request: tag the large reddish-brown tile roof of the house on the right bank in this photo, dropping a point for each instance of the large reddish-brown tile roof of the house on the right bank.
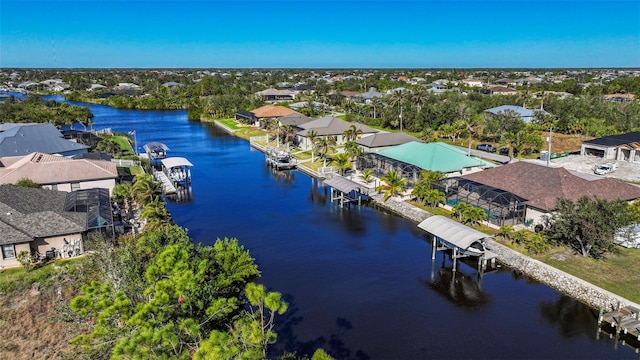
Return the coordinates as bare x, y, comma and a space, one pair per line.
542, 185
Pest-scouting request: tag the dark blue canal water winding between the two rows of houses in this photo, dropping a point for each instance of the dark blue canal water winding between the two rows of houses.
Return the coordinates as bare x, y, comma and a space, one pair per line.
360, 282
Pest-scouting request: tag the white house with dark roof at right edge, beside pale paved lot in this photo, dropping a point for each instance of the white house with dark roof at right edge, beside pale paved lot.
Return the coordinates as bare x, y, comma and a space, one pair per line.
625, 147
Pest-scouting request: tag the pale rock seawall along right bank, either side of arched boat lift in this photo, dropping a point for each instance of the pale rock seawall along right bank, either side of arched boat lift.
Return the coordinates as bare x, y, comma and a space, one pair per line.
567, 284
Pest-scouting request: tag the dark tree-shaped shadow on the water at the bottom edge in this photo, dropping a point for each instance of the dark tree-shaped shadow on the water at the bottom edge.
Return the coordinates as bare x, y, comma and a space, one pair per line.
334, 345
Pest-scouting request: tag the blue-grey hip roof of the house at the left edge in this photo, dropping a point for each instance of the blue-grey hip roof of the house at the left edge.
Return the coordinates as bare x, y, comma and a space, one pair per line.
23, 139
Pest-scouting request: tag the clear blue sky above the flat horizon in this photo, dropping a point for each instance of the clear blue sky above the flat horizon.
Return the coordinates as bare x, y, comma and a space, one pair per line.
327, 34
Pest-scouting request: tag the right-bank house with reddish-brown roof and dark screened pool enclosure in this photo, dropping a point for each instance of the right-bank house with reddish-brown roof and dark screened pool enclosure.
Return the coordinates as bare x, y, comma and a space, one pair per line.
524, 193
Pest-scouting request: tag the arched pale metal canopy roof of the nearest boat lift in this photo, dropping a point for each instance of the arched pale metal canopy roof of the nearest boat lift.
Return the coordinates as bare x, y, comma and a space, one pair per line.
452, 232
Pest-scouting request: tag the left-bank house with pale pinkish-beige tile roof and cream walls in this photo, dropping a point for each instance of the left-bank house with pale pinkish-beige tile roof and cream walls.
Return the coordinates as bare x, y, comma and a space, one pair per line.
59, 173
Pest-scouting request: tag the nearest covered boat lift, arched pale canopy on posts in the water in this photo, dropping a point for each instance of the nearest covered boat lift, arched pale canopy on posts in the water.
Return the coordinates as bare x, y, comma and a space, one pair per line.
461, 239
